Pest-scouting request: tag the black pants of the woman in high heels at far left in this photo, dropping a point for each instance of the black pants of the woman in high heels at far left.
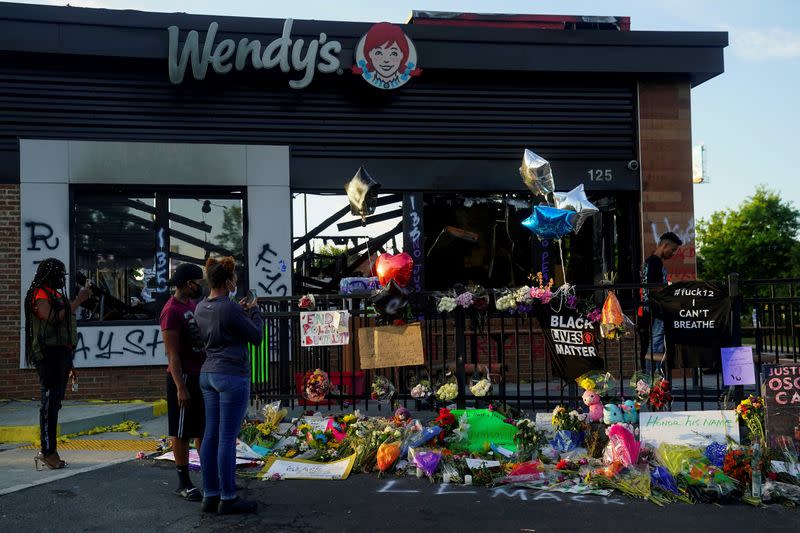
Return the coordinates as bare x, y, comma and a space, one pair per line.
53, 373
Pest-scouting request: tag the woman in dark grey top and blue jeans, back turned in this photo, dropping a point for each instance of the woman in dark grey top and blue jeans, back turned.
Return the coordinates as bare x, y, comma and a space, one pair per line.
227, 328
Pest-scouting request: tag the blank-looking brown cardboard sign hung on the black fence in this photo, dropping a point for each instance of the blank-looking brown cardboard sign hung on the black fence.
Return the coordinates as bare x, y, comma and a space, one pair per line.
388, 346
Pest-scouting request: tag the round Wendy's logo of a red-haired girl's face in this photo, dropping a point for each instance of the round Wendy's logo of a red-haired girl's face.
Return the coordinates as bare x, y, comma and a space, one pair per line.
386, 57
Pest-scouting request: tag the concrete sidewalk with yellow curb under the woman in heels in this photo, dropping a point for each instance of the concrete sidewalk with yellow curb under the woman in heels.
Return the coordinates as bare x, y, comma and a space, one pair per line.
19, 427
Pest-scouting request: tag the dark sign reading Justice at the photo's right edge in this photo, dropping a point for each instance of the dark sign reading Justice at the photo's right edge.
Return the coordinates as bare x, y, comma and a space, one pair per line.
780, 387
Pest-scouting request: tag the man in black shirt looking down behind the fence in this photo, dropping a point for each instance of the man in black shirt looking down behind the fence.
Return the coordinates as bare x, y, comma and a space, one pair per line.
654, 272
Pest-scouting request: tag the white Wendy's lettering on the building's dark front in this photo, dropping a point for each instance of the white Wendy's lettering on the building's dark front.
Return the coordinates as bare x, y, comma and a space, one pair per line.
291, 55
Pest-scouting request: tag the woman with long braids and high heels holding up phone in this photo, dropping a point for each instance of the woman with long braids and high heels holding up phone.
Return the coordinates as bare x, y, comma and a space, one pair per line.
50, 337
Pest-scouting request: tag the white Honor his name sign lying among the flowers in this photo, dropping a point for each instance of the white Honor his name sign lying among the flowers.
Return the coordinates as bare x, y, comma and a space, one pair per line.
692, 428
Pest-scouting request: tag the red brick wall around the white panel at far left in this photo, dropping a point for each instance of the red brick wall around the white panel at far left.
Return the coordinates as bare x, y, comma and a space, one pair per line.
122, 383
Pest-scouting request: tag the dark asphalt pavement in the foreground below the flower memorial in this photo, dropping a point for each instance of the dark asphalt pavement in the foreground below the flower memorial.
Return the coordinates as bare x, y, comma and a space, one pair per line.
137, 496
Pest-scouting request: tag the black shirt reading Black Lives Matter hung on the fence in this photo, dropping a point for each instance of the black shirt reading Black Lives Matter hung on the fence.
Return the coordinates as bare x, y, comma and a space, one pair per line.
571, 342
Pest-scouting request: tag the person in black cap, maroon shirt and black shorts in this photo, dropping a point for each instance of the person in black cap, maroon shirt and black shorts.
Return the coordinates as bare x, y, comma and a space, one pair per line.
185, 355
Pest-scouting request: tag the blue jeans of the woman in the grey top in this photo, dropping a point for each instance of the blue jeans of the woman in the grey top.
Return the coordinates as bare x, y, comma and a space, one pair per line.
225, 399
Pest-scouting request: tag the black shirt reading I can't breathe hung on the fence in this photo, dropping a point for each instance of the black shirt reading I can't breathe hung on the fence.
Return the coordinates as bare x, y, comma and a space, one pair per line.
694, 312
